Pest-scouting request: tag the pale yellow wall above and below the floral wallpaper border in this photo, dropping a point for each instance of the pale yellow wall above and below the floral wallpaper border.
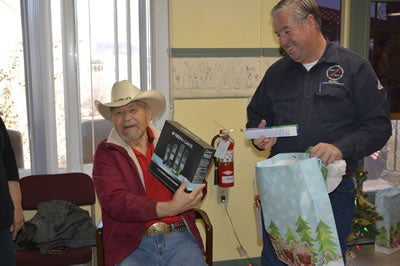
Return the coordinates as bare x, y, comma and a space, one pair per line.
224, 24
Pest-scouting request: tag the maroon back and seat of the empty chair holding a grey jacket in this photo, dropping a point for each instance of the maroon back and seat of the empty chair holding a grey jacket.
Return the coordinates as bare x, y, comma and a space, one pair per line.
77, 188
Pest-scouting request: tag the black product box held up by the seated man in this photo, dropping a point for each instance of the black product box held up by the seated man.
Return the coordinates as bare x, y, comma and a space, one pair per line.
180, 153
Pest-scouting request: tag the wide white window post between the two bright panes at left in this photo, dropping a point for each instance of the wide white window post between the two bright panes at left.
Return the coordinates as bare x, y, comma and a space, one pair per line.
39, 76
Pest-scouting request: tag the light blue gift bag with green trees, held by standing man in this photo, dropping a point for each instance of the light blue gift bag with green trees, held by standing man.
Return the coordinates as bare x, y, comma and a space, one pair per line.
297, 211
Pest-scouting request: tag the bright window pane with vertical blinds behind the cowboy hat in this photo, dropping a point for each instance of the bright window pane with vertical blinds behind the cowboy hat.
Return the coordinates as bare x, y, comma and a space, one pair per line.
109, 50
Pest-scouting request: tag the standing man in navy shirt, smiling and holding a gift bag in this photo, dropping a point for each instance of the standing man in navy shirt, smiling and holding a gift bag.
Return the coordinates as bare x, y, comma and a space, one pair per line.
331, 93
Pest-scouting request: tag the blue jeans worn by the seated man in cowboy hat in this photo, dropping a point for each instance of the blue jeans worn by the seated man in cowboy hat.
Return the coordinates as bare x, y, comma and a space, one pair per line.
176, 248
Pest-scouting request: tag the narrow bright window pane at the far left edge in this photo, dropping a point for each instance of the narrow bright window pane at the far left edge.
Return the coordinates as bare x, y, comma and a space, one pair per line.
12, 81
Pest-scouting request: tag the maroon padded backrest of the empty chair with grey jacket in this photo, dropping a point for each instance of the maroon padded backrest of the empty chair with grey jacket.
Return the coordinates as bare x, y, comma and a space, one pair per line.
77, 188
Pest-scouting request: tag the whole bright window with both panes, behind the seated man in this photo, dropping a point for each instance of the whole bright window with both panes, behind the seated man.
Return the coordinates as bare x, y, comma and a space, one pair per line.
51, 91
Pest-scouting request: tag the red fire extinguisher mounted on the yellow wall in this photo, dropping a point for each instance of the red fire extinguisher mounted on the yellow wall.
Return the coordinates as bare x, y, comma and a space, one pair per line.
223, 159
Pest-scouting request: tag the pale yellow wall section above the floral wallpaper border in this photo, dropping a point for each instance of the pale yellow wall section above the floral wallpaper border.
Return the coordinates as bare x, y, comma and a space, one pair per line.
221, 24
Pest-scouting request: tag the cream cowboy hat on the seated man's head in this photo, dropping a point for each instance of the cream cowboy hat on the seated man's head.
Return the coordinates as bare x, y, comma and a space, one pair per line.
123, 92
